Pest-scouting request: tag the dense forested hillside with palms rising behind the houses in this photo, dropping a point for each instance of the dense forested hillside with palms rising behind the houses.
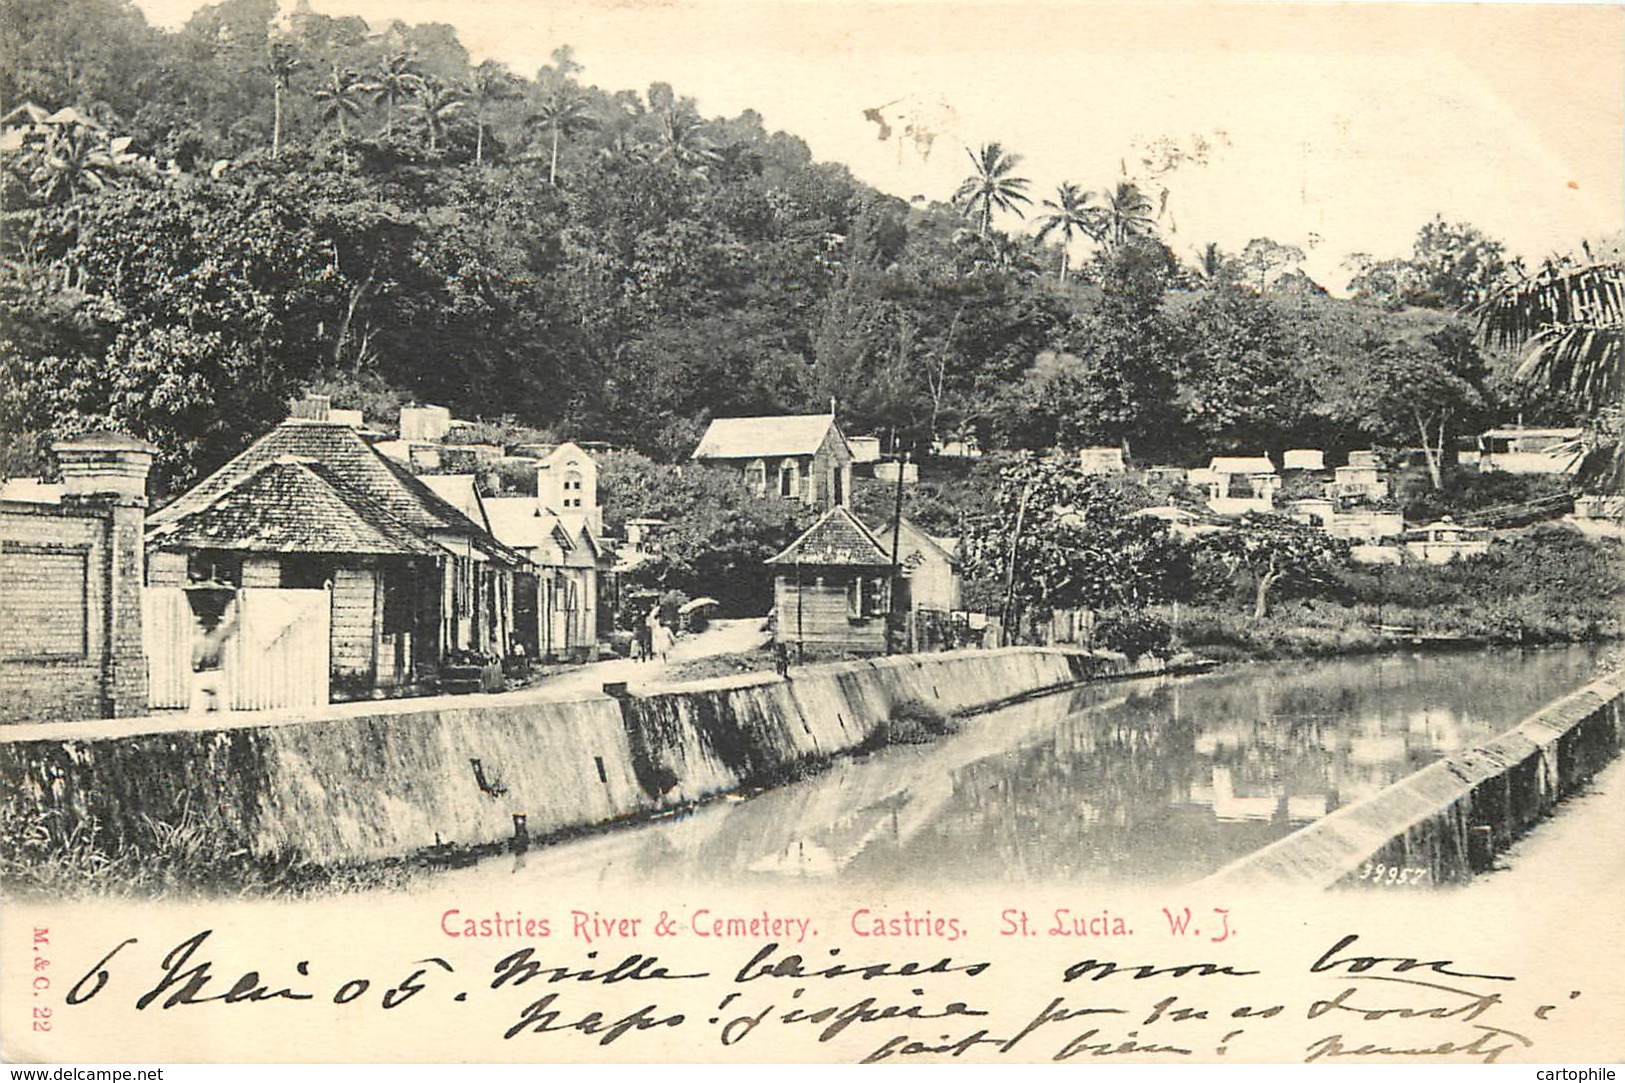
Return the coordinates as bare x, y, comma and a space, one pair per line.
254, 206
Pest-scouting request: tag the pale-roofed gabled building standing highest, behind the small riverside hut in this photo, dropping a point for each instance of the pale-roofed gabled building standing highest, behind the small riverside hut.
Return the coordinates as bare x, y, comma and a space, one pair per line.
795, 456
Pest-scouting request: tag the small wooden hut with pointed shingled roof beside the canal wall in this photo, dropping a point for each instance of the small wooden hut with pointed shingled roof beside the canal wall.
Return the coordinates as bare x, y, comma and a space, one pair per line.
833, 586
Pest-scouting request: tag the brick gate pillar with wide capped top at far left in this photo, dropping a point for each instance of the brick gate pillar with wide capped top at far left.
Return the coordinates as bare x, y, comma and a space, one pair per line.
108, 472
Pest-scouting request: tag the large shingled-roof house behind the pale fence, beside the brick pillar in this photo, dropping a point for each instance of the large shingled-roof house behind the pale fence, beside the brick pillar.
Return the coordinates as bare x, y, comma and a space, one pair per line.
313, 505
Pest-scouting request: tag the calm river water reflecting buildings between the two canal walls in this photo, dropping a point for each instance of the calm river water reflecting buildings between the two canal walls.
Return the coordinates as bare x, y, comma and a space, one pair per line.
1148, 781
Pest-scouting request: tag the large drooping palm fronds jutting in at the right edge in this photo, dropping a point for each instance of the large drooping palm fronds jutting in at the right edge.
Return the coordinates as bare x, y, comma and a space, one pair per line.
1572, 320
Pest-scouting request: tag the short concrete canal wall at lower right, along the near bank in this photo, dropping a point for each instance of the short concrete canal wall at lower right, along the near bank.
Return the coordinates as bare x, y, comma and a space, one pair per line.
1449, 820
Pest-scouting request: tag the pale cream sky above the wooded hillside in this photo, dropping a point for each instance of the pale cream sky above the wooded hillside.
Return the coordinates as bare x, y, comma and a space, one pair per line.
1335, 128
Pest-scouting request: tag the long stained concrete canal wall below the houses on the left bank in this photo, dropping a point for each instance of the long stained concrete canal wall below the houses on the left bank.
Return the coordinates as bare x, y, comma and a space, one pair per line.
376, 781
